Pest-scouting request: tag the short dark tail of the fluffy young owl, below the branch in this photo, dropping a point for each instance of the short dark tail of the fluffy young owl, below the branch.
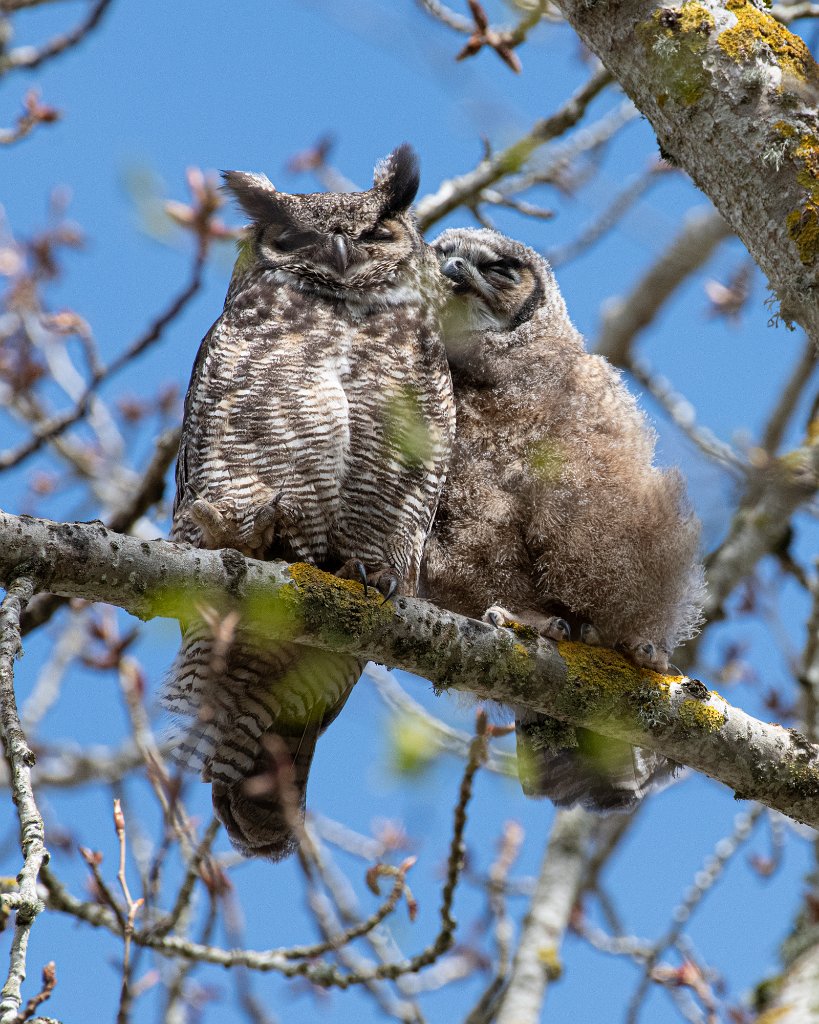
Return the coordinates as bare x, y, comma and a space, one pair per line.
574, 766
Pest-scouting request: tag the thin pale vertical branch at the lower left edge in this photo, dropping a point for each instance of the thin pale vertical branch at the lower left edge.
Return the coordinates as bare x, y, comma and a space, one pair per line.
25, 901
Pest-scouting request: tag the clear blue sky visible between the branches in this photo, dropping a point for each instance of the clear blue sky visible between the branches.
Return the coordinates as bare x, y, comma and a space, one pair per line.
161, 88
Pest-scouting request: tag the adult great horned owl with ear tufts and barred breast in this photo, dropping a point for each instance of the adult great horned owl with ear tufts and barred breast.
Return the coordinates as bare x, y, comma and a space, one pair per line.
318, 428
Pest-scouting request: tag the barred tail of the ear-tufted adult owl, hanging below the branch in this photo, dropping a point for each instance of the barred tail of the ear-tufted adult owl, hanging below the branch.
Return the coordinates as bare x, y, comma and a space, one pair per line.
249, 716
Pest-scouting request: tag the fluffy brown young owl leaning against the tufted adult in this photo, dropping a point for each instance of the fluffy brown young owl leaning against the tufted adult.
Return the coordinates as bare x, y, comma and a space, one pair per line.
553, 507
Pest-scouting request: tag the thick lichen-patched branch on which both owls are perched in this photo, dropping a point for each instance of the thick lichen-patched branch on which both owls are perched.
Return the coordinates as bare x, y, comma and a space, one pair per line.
584, 686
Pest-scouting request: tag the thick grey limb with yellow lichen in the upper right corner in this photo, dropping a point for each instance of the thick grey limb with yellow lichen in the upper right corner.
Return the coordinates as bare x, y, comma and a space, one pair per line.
731, 96
